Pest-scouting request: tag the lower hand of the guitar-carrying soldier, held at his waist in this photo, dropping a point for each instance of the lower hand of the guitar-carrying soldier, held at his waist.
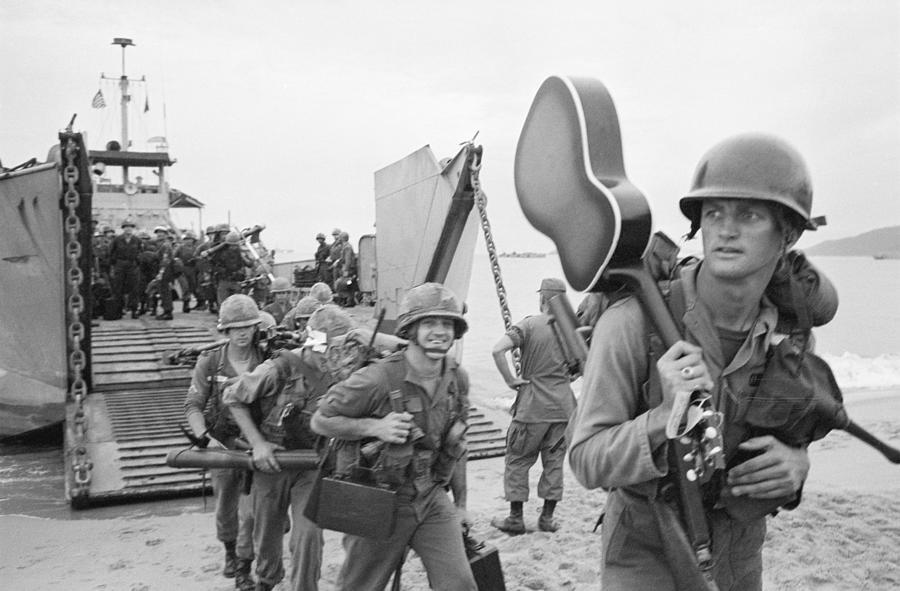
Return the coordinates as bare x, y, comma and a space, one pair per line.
779, 471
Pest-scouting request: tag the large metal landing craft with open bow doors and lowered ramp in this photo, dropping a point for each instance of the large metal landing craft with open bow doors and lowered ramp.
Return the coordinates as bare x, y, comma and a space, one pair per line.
108, 382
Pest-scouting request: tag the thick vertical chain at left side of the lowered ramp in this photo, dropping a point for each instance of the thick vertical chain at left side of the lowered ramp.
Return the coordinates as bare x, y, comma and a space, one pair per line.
81, 464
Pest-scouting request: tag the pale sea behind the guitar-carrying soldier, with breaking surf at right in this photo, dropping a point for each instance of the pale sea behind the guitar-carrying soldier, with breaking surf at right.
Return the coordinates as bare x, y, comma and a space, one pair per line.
862, 343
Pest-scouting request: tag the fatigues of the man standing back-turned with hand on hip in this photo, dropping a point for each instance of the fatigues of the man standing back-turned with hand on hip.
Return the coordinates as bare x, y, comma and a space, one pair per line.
541, 413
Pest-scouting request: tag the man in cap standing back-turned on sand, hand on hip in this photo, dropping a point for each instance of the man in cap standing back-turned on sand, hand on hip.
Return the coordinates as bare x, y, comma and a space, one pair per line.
544, 402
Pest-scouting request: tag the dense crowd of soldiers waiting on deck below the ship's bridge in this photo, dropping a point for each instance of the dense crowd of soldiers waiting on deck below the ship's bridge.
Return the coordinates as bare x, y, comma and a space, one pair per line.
142, 274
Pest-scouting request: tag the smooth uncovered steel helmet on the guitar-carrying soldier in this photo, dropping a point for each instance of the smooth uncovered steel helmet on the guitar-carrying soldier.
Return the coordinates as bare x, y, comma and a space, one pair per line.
752, 166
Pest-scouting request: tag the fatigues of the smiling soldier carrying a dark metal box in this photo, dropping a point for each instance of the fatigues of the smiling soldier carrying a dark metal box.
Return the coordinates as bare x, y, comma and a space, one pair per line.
426, 521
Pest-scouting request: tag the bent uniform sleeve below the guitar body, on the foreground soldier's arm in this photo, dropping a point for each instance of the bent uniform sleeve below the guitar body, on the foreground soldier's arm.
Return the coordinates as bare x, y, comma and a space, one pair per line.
611, 442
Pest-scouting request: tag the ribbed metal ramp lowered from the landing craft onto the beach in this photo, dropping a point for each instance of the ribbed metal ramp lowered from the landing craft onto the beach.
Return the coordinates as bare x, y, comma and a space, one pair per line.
135, 408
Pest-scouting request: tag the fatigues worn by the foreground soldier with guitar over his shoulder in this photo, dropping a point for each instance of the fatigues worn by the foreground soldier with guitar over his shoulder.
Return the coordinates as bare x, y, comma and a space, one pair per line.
617, 438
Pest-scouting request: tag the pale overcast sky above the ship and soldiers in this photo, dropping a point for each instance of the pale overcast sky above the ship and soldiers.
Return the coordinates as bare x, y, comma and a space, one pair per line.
279, 112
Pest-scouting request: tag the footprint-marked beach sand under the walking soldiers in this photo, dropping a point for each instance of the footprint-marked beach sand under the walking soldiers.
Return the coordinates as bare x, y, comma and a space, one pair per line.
845, 534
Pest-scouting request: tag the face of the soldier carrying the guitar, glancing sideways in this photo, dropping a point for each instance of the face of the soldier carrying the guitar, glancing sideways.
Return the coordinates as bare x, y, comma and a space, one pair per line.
741, 238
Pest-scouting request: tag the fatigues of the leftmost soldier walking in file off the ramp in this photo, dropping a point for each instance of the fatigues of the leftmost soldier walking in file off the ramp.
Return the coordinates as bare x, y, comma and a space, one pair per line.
234, 516
